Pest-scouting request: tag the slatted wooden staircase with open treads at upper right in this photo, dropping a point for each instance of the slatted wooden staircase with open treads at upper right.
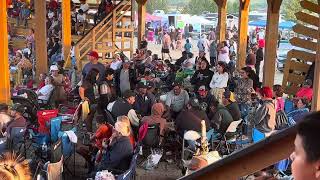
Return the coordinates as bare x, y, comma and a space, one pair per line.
298, 61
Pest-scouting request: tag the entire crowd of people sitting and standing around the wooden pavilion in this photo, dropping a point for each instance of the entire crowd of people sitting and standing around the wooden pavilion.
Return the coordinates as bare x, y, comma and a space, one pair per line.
127, 95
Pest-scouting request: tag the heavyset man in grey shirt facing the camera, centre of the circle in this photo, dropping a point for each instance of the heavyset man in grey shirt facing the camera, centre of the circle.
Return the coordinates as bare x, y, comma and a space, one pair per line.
177, 99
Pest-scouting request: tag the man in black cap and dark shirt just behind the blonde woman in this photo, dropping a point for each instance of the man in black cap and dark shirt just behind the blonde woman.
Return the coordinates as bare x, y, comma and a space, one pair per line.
122, 106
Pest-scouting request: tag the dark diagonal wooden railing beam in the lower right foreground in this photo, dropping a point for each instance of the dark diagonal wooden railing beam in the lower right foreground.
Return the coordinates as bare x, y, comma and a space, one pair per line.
251, 159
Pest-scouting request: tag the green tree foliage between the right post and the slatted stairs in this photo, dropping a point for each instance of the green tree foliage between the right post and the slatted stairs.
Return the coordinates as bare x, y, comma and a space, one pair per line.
290, 7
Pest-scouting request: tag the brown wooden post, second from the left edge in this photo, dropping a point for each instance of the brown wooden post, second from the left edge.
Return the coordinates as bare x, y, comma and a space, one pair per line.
40, 37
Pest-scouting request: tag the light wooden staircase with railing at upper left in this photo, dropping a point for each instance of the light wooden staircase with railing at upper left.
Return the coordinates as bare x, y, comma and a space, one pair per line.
114, 33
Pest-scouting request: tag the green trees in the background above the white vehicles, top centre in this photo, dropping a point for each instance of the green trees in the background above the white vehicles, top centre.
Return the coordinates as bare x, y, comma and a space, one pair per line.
199, 6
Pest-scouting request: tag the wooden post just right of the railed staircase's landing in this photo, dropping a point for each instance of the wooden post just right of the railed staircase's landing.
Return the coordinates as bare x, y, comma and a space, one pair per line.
141, 19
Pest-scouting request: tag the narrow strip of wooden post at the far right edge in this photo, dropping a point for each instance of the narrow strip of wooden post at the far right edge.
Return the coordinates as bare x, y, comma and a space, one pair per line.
316, 83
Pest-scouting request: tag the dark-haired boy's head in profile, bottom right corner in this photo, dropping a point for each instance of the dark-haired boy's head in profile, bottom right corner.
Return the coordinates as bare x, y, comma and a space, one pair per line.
306, 155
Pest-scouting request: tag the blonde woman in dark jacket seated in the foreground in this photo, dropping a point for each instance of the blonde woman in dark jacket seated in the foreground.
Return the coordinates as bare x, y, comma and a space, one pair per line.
119, 151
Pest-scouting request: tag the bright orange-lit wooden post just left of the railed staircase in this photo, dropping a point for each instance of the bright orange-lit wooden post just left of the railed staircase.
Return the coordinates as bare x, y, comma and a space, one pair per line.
66, 31
